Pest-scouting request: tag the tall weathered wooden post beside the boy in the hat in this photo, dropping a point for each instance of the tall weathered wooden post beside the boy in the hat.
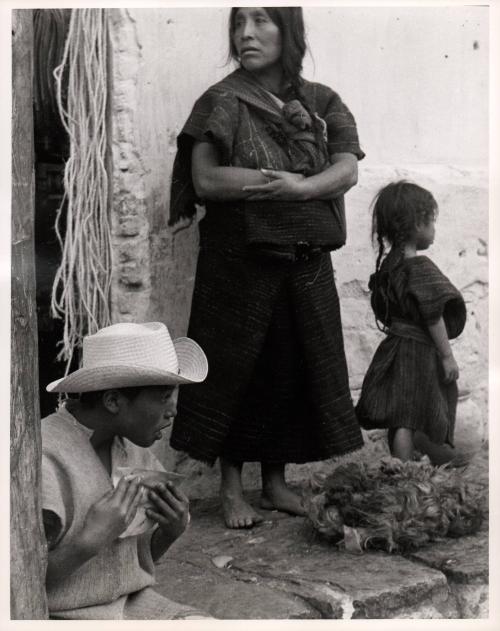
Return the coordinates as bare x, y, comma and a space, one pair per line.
28, 550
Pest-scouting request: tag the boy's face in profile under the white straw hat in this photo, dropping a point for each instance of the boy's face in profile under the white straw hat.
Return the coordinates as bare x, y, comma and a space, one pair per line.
144, 417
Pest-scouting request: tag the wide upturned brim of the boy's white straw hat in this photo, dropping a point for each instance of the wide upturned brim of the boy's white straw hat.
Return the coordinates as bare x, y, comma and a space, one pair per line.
193, 368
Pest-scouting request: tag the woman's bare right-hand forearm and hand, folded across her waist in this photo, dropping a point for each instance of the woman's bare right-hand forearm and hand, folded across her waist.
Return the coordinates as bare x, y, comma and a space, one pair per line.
337, 179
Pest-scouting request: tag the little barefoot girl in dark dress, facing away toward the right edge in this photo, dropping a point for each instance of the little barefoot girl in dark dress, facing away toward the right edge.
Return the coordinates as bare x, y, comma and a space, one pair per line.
411, 384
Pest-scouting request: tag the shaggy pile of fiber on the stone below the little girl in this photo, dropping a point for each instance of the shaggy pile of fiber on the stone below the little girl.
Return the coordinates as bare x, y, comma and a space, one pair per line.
393, 506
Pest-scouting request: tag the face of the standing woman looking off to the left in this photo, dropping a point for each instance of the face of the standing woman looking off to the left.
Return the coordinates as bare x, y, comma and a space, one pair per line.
257, 39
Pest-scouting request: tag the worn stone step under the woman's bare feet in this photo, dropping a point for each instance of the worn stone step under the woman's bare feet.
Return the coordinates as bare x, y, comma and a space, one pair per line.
281, 570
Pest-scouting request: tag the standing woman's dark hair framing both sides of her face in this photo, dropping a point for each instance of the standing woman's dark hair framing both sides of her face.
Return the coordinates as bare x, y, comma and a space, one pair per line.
290, 22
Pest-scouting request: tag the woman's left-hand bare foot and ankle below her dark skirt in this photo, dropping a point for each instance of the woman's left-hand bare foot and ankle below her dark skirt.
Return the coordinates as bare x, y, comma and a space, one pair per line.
237, 512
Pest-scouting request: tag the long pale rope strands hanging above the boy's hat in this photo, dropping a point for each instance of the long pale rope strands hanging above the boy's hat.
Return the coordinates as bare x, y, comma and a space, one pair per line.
82, 285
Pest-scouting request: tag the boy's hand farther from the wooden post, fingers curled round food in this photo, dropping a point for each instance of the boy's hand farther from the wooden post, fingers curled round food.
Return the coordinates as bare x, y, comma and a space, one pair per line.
171, 510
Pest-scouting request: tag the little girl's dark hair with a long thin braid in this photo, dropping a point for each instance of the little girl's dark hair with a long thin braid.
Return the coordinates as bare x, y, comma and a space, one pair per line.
397, 209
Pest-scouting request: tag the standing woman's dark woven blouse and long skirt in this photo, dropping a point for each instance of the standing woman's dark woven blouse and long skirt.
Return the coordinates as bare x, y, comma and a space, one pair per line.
277, 388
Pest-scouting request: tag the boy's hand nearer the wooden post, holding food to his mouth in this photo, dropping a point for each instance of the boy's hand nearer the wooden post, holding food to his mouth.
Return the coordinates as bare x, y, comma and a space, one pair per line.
111, 515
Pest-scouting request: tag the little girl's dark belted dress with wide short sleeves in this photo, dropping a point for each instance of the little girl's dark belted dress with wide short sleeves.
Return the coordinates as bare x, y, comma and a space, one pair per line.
404, 385
